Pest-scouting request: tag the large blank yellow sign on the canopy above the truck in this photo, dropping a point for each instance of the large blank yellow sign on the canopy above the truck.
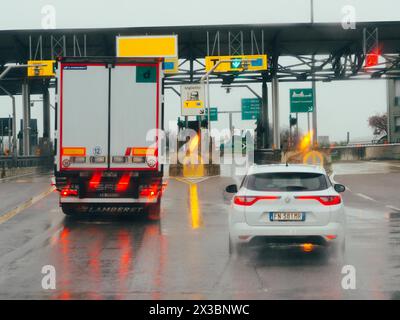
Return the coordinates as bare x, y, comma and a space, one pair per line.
147, 46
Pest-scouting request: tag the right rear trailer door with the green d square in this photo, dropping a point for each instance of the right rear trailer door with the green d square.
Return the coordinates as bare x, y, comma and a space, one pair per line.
134, 116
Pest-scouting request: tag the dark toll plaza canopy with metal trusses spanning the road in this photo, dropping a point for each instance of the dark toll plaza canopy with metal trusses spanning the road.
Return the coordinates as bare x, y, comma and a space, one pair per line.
325, 51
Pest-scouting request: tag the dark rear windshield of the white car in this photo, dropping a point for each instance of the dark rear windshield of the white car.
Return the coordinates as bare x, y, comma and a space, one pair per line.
286, 181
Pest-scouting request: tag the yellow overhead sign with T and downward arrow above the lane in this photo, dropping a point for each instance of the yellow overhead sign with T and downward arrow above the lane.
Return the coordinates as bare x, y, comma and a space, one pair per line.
237, 63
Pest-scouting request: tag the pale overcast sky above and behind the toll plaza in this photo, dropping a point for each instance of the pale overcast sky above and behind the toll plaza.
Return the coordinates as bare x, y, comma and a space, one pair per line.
342, 106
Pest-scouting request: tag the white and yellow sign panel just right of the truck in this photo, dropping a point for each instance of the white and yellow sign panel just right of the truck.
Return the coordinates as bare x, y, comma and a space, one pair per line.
192, 100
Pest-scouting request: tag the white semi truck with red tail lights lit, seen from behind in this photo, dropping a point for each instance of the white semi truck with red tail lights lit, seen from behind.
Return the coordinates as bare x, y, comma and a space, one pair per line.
108, 115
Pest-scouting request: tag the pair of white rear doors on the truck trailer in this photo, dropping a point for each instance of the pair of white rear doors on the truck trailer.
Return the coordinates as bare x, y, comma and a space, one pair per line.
107, 113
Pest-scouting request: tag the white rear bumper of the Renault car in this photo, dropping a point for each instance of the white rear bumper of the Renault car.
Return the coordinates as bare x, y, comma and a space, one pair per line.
241, 232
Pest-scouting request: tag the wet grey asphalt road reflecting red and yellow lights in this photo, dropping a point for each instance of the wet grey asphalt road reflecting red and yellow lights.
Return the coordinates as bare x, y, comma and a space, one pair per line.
185, 255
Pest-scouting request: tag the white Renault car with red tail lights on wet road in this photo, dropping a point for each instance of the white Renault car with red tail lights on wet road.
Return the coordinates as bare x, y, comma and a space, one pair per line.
287, 204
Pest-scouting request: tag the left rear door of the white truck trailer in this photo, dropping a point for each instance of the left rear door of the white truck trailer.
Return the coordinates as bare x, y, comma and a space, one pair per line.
84, 104
